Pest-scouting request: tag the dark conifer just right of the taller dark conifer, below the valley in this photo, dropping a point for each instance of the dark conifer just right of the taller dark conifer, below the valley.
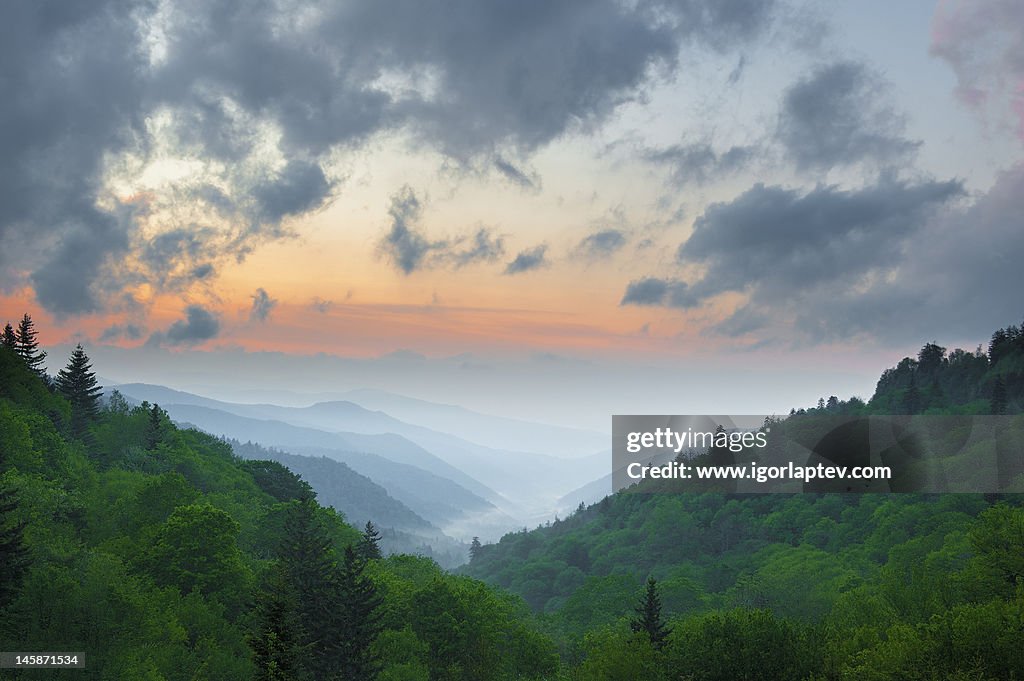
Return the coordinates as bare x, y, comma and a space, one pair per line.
362, 621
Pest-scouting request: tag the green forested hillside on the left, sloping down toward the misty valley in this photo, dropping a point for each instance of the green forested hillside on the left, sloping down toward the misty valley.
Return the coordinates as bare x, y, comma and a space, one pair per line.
160, 555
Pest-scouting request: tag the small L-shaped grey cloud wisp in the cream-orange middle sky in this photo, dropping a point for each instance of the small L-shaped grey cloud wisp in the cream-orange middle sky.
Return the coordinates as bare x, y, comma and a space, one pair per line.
409, 249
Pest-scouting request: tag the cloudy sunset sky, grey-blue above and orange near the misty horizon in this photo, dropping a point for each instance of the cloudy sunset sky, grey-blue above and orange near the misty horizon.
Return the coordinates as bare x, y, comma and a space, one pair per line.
553, 210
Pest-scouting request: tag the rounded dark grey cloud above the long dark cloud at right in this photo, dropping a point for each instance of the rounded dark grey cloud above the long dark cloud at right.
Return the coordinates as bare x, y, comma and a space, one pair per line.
841, 115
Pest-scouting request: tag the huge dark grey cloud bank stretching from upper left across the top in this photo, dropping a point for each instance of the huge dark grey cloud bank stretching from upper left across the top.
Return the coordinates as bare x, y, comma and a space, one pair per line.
83, 84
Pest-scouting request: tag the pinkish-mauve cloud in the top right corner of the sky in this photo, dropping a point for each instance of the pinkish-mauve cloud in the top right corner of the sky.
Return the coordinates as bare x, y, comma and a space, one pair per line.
984, 44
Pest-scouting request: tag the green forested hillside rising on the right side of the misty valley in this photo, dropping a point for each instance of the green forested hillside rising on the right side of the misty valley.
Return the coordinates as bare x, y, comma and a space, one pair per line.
796, 586
